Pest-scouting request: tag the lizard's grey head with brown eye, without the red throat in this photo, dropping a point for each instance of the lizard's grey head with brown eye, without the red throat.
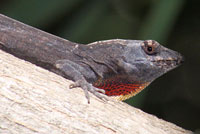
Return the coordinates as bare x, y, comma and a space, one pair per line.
148, 60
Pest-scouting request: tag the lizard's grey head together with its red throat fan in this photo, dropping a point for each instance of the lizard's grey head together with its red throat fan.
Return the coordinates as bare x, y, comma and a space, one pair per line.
138, 63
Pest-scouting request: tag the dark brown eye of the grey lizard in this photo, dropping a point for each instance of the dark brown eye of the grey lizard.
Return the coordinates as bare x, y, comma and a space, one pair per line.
149, 47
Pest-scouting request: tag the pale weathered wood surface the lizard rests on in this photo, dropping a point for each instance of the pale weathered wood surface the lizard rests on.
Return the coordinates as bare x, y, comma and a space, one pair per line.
34, 100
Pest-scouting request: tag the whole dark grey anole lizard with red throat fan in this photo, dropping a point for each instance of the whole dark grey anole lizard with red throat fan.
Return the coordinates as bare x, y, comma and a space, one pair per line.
118, 68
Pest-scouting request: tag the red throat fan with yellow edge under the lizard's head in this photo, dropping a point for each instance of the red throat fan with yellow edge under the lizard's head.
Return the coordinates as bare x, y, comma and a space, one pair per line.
120, 88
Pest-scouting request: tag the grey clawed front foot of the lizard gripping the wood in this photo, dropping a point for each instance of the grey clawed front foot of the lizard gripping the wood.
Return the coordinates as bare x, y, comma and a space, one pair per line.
87, 87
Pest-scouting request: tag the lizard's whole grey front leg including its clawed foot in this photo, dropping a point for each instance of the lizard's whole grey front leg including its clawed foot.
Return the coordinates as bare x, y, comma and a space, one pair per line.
74, 71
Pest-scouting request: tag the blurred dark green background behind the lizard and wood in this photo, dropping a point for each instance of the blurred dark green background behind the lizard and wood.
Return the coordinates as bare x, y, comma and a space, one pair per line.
174, 97
